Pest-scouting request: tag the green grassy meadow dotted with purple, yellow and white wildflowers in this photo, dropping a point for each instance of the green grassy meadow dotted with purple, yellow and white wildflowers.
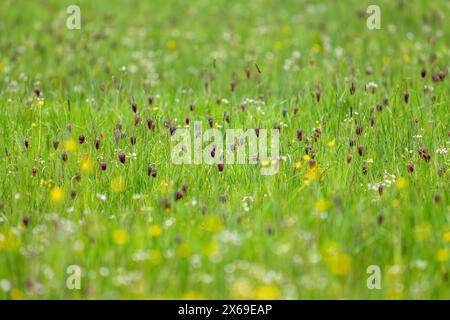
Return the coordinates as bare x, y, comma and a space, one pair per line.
87, 181
